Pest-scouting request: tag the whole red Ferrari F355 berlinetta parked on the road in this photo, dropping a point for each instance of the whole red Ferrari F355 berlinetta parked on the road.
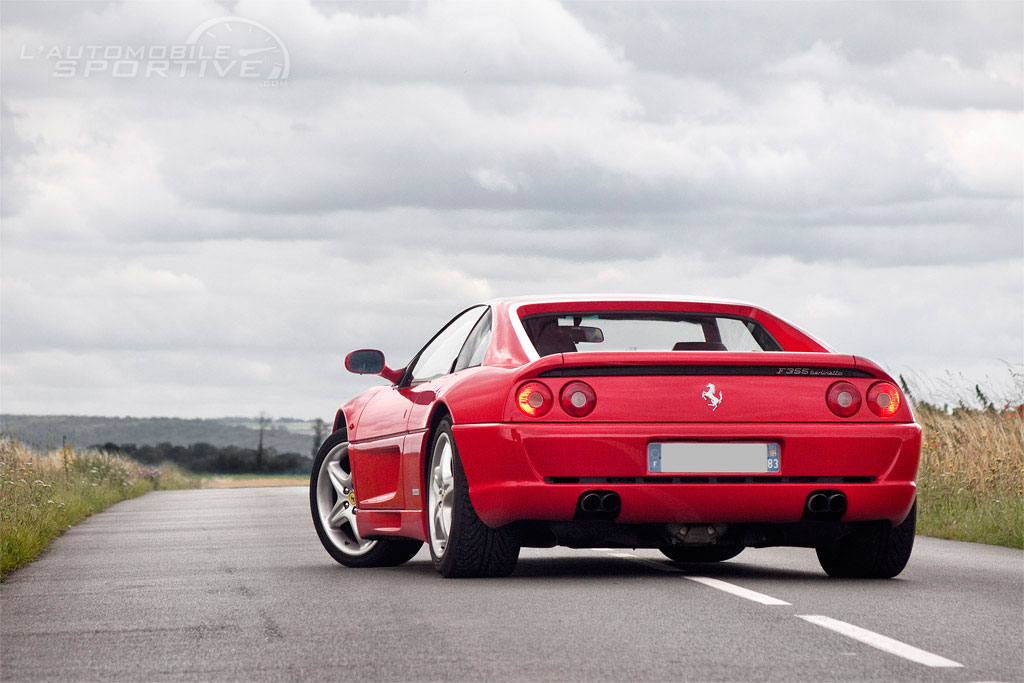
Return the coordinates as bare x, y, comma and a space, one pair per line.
697, 428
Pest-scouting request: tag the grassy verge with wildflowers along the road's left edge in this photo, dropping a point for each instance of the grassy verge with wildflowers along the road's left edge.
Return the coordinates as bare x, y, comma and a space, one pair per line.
44, 495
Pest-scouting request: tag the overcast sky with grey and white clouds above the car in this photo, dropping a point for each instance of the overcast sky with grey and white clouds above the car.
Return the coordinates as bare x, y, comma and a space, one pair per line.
189, 245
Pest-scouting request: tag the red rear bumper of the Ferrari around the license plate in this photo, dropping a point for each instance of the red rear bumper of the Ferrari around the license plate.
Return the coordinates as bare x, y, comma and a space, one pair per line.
538, 472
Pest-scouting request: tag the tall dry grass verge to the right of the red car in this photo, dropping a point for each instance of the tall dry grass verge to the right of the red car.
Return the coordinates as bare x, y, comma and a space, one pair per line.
971, 482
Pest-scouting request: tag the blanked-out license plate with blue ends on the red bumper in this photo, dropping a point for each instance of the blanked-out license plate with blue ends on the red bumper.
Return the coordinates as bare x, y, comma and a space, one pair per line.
694, 458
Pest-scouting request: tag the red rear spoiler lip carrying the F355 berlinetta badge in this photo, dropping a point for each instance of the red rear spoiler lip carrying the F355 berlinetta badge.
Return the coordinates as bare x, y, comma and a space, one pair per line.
703, 364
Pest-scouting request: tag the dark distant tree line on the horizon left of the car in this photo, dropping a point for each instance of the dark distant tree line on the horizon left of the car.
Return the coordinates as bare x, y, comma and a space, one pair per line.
206, 458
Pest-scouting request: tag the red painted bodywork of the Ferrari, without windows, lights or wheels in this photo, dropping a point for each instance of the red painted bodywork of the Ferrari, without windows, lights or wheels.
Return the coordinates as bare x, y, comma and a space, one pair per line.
522, 468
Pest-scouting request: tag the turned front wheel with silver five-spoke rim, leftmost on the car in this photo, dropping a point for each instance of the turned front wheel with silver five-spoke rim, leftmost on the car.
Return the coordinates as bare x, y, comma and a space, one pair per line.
330, 489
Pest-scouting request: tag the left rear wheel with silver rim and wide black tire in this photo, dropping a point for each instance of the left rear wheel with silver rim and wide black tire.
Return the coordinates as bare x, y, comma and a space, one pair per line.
461, 545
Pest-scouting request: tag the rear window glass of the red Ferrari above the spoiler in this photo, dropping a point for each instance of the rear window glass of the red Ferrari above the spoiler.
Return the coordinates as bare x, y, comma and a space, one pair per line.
646, 331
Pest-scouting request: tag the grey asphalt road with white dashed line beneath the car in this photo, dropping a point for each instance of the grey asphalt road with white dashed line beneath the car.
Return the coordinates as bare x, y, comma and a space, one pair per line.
234, 585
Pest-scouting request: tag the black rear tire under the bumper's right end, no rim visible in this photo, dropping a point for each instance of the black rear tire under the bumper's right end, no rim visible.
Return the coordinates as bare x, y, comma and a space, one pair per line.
874, 553
